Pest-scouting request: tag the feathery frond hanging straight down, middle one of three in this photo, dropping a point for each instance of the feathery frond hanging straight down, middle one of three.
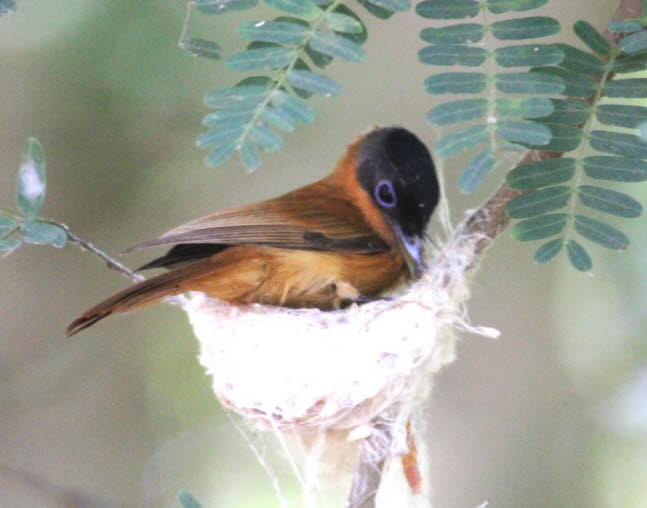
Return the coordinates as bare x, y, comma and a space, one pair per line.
501, 122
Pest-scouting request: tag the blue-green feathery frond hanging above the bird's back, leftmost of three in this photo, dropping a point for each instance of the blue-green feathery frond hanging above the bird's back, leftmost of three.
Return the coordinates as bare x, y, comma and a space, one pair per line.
281, 55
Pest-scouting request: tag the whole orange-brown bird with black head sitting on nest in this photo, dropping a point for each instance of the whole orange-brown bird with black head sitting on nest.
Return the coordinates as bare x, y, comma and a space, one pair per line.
346, 238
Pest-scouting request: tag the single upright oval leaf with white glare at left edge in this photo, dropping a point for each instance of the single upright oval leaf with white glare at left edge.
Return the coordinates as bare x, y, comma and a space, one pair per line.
31, 186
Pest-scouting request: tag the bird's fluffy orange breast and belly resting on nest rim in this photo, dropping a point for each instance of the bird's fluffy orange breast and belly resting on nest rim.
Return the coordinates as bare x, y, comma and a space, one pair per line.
297, 278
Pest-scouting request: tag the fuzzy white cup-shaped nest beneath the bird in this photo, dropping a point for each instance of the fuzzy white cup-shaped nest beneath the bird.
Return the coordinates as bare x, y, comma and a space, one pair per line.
312, 370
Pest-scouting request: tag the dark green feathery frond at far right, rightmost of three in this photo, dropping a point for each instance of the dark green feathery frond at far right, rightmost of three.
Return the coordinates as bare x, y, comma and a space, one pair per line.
565, 192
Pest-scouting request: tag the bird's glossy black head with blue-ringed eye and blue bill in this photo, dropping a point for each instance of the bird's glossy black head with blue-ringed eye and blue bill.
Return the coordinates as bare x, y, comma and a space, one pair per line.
397, 171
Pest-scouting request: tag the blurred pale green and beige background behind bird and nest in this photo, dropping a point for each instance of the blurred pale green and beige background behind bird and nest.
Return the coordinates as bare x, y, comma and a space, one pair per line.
552, 414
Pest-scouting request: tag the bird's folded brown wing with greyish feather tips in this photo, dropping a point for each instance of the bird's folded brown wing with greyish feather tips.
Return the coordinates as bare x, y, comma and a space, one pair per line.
315, 217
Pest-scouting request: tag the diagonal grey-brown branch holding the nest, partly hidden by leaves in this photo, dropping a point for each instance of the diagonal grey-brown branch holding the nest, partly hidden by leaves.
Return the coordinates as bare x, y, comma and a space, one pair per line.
487, 222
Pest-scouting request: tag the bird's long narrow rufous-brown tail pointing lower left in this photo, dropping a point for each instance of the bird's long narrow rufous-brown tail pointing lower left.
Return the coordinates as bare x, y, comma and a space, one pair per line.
139, 295
